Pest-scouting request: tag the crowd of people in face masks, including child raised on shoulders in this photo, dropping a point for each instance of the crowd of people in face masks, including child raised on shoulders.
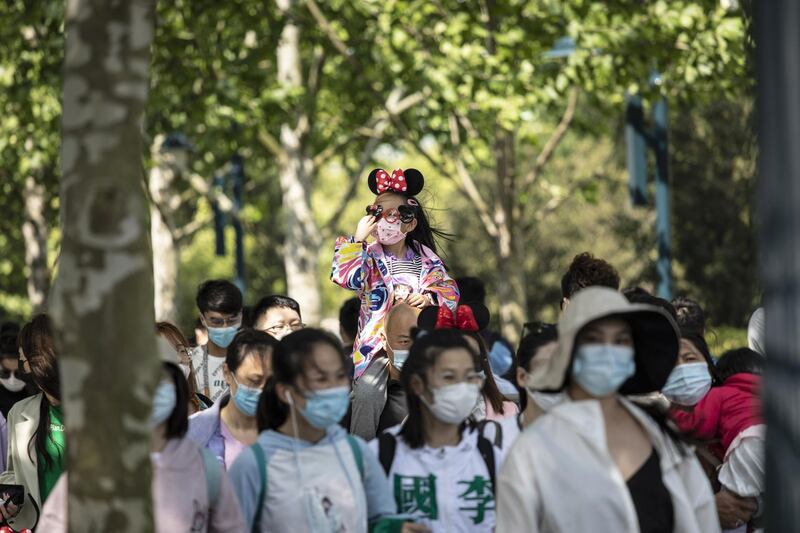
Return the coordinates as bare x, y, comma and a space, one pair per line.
418, 417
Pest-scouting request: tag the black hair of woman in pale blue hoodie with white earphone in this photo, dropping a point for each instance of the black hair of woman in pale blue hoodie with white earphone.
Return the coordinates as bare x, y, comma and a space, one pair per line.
289, 361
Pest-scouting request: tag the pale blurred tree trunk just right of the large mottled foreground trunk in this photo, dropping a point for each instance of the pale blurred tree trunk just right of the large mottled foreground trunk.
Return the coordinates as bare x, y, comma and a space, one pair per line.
166, 262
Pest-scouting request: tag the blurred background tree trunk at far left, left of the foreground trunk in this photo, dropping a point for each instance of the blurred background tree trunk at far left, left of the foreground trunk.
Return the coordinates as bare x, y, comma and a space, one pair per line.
34, 229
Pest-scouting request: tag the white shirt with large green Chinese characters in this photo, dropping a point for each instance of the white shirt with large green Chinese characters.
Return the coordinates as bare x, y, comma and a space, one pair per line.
447, 489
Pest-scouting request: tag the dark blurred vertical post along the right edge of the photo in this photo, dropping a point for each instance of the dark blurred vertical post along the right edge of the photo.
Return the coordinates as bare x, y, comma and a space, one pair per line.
778, 66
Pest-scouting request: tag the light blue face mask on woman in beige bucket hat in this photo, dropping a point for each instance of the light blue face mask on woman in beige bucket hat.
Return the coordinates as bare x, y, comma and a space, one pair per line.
601, 369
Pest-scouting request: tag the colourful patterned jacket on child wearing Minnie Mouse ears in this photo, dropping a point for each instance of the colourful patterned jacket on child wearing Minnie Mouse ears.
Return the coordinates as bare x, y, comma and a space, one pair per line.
363, 268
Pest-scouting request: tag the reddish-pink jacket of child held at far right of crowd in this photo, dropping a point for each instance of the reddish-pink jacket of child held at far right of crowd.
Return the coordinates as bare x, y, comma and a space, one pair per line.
725, 411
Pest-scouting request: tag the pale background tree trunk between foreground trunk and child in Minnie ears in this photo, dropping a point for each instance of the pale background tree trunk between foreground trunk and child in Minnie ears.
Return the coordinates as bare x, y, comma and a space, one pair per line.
302, 245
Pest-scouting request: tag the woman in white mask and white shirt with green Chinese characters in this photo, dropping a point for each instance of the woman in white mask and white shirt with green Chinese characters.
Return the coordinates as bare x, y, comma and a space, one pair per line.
442, 467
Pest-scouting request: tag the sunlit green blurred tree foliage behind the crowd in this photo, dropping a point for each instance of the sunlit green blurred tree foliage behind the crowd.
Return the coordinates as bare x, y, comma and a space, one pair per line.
485, 64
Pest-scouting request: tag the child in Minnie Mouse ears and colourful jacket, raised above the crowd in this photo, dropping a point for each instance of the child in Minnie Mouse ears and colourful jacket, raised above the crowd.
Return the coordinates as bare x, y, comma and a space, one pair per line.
401, 265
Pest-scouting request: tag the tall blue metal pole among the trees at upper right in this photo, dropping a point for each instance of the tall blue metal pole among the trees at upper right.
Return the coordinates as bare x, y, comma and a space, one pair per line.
663, 223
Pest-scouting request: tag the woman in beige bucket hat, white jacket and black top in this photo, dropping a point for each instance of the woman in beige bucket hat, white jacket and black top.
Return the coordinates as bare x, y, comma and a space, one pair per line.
597, 463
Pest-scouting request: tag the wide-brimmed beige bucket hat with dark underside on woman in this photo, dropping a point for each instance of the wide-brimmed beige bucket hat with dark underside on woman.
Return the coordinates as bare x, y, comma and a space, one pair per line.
655, 338
